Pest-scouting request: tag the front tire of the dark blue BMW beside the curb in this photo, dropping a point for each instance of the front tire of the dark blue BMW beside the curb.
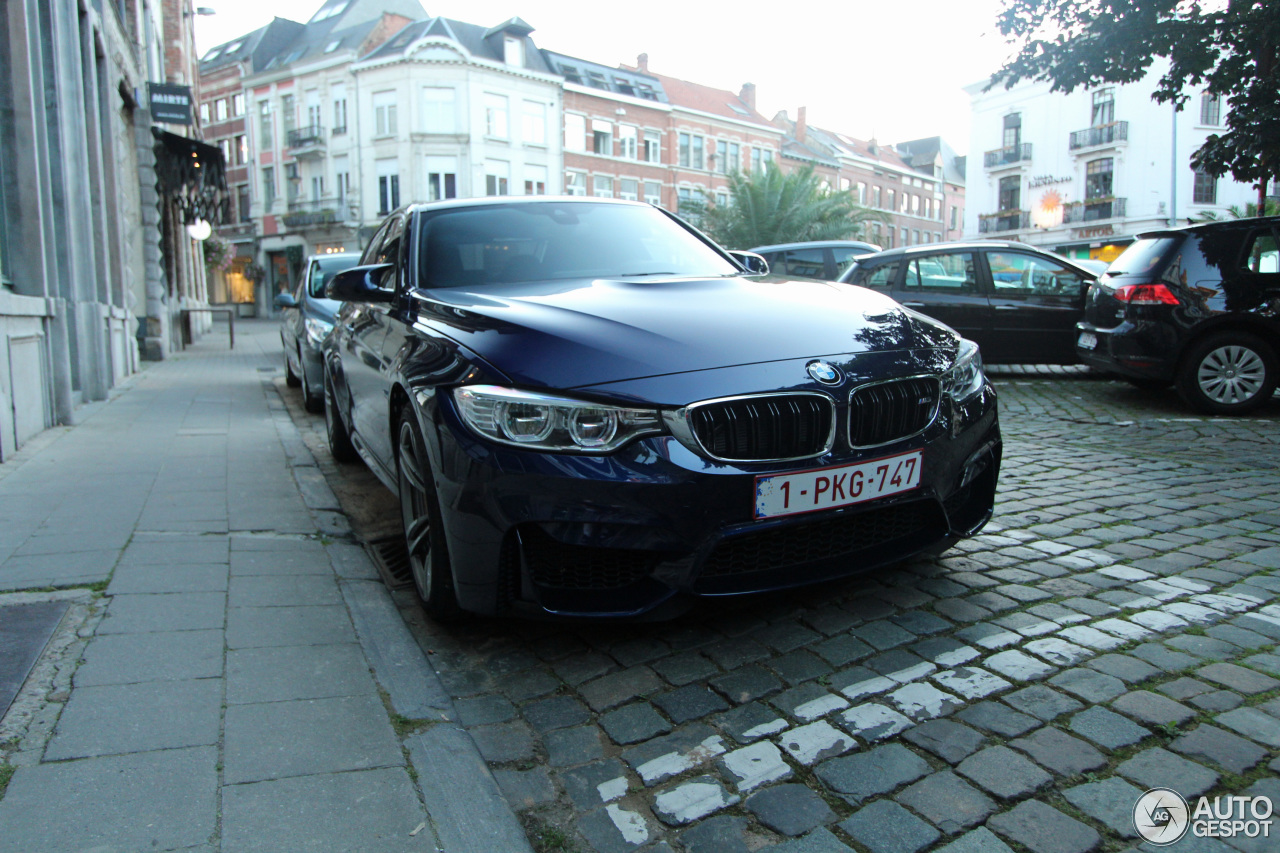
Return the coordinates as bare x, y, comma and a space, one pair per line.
420, 521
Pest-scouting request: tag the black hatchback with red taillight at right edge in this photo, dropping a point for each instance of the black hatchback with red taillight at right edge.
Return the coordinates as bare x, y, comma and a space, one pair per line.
1195, 307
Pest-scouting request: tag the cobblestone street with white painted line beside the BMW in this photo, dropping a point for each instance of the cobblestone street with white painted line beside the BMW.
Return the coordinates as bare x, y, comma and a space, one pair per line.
1113, 631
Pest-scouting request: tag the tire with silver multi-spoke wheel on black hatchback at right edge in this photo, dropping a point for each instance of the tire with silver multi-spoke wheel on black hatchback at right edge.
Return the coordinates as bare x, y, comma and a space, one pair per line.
1229, 373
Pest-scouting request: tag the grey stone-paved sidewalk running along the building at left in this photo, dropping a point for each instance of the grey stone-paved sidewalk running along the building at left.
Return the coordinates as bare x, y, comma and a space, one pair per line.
231, 674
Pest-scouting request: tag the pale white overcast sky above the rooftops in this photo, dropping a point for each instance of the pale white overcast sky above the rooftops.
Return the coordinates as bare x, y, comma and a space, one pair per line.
890, 71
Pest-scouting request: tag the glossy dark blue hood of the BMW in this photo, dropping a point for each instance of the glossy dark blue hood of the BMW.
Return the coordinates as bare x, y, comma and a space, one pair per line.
569, 335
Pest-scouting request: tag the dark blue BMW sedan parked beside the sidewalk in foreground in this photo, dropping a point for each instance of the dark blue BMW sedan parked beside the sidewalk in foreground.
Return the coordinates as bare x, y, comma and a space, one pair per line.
588, 408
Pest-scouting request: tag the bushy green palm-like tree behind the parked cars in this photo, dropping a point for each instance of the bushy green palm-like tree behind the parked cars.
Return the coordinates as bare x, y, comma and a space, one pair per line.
775, 207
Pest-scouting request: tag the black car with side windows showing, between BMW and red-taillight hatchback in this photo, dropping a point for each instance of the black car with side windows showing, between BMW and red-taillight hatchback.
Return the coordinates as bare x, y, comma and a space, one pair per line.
1018, 303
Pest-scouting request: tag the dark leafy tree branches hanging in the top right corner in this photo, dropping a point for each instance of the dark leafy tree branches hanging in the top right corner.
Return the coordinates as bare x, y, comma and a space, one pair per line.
1227, 48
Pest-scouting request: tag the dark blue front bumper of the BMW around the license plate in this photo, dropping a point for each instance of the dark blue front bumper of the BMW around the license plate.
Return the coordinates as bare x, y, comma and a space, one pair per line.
627, 533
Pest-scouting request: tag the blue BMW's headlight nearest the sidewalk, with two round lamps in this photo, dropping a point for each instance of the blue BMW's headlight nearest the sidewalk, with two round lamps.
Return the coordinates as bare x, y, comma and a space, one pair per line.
547, 423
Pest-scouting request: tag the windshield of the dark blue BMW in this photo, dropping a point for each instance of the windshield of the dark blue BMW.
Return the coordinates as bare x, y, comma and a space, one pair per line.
531, 243
